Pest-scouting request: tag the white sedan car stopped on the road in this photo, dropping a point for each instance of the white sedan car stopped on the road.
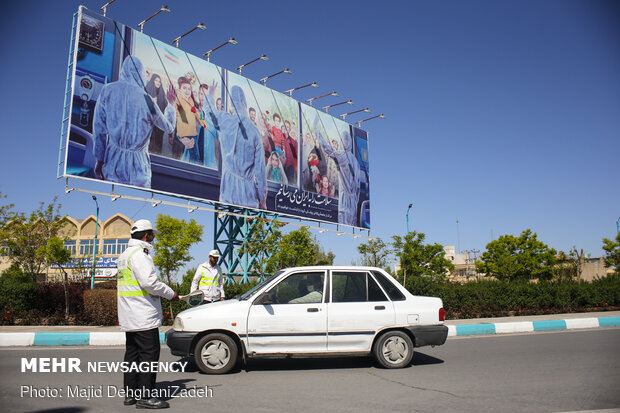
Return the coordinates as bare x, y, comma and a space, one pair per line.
309, 312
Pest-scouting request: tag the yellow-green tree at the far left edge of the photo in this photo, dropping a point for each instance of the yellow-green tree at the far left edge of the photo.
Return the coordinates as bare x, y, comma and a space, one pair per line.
25, 238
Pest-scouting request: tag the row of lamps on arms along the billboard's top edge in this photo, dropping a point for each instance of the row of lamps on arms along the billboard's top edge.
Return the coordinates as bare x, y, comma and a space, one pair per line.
263, 57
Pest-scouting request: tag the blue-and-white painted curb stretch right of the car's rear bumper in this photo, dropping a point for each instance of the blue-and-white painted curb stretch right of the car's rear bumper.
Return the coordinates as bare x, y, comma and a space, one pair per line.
531, 326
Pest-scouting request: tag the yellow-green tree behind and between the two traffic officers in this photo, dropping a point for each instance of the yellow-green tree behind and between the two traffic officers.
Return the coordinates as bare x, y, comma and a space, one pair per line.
173, 241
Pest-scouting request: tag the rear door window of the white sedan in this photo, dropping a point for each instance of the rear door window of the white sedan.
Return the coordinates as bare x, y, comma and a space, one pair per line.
355, 287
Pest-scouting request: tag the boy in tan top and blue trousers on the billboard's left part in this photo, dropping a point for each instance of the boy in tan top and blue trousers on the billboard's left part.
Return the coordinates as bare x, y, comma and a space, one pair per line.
187, 120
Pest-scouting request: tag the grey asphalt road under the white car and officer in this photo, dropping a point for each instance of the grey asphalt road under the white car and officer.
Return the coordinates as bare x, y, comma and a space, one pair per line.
541, 372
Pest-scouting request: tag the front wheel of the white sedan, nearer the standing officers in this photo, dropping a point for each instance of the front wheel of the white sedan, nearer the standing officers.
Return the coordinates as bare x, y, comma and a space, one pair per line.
216, 353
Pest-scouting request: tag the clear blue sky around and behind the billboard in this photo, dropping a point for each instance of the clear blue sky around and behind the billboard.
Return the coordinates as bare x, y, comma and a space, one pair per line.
505, 114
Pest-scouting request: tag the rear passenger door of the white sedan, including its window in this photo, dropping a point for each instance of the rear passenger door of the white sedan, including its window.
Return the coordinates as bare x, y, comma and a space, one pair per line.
357, 310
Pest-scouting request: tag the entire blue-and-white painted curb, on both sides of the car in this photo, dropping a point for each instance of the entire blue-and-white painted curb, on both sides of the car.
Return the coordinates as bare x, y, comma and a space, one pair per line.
118, 338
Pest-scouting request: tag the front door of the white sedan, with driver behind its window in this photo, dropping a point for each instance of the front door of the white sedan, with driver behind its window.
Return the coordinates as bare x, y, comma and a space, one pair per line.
295, 318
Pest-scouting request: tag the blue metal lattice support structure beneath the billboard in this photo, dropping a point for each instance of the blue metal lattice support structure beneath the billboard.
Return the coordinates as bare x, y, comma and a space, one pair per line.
230, 234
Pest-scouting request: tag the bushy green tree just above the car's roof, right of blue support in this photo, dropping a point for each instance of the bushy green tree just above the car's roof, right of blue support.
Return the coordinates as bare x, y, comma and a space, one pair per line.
295, 249
